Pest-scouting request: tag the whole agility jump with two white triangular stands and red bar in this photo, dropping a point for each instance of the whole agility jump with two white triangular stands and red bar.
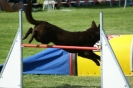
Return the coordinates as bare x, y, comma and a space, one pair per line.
111, 75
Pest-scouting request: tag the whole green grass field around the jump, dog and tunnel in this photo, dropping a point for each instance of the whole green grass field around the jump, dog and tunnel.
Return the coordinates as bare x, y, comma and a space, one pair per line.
117, 20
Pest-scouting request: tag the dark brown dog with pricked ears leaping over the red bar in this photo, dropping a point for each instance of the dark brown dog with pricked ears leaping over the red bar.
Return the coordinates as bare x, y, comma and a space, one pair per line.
45, 33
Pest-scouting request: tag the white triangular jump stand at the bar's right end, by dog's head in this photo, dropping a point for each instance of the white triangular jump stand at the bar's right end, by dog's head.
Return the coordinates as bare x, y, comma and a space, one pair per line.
112, 74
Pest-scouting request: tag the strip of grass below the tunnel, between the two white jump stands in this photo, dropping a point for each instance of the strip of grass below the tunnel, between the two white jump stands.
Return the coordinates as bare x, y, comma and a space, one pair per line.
58, 81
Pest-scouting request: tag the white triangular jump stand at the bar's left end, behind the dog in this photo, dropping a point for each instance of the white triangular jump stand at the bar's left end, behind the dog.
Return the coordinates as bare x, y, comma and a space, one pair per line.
11, 74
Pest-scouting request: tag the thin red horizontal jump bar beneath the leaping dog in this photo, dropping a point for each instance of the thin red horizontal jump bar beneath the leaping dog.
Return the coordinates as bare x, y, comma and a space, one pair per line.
59, 46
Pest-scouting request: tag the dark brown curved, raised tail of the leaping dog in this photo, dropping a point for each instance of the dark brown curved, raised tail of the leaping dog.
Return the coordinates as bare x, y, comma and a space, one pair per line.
29, 16
